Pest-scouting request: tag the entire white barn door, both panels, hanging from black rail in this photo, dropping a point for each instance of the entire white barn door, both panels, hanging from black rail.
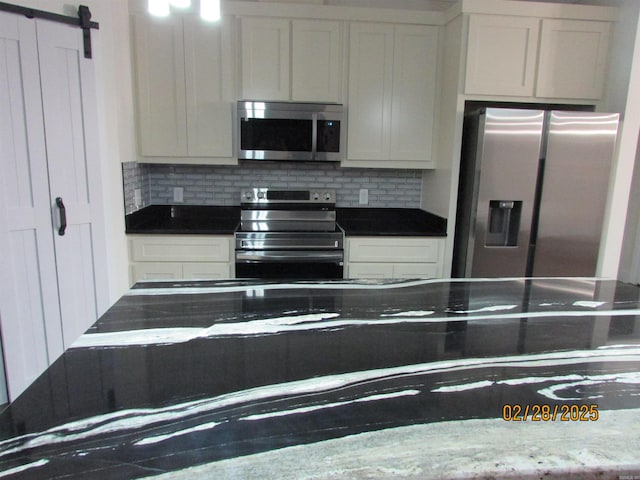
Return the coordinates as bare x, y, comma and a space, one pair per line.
51, 287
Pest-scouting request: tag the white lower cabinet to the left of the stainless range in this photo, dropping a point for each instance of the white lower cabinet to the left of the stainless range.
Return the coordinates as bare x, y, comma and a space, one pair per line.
181, 257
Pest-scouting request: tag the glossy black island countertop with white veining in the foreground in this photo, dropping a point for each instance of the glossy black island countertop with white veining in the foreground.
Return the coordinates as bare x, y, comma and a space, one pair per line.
341, 379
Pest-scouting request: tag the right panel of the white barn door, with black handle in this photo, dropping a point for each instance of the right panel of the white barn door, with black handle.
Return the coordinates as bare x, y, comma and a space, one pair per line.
71, 132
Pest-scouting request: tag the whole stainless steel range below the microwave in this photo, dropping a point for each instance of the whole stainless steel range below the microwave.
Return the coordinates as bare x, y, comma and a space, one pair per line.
289, 234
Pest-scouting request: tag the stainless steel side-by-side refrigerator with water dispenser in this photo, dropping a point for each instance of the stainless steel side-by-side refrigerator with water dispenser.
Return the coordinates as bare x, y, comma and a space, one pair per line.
533, 188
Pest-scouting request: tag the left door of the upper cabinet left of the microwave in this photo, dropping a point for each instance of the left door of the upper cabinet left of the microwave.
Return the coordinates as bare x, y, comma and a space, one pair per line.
160, 85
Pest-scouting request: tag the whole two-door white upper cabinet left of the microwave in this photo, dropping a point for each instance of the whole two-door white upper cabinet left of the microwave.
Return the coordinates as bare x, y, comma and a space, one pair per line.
184, 88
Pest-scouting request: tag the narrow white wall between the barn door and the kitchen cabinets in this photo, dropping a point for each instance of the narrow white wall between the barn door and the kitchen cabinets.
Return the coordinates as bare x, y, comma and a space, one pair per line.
116, 117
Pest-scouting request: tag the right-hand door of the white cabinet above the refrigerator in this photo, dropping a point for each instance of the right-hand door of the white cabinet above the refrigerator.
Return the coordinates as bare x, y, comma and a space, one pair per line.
573, 59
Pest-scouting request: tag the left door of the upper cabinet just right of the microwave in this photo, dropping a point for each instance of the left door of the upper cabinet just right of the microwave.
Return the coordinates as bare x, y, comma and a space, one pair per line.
370, 91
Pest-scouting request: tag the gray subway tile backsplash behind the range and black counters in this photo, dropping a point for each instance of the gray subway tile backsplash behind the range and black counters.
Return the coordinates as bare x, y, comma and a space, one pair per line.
215, 185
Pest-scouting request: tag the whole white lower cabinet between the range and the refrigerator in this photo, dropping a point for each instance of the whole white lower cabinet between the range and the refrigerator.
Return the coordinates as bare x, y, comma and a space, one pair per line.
394, 257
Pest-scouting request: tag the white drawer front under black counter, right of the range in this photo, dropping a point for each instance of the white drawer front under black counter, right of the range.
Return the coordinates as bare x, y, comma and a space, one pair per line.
394, 249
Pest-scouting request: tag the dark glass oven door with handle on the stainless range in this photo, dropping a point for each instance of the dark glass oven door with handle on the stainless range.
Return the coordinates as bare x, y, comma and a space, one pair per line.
290, 264
